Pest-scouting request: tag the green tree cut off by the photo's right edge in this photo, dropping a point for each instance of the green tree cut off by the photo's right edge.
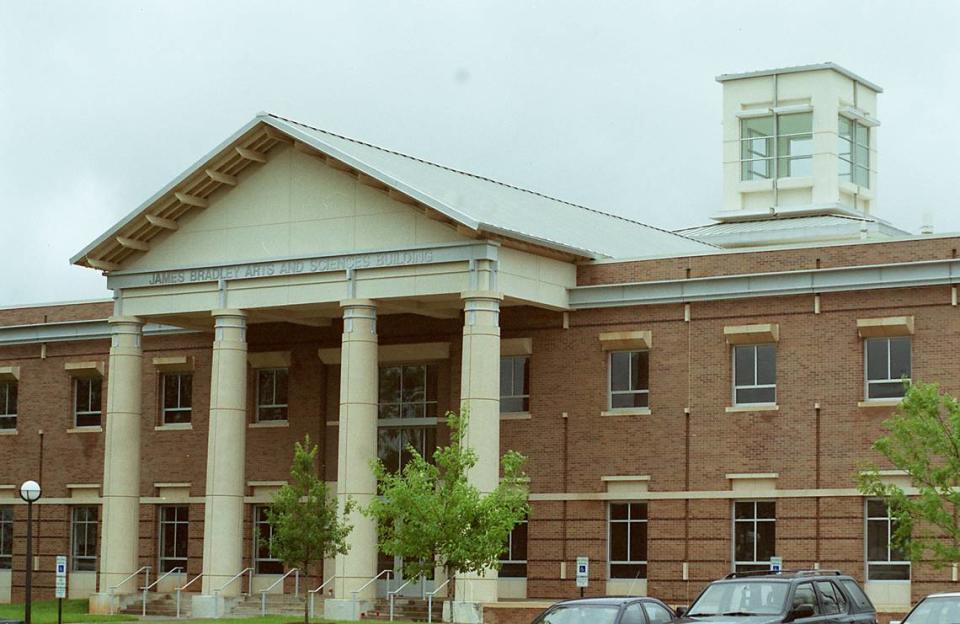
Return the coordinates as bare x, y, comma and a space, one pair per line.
923, 439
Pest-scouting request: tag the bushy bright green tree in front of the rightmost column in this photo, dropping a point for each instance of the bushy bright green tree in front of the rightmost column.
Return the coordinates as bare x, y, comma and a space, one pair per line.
430, 515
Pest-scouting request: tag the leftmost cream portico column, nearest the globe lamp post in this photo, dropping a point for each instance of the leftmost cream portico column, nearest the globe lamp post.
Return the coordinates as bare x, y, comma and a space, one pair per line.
120, 517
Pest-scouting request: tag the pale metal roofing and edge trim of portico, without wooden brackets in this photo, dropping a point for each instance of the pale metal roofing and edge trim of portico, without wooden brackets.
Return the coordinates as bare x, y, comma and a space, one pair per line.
472, 200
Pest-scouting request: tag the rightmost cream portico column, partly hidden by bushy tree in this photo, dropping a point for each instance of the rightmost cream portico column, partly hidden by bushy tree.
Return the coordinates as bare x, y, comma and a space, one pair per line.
480, 396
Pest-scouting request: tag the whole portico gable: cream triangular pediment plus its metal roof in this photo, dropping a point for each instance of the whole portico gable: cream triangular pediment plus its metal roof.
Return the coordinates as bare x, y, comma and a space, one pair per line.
277, 188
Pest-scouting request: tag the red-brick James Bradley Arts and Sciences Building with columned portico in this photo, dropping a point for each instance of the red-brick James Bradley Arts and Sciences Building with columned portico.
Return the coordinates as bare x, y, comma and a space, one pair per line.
690, 403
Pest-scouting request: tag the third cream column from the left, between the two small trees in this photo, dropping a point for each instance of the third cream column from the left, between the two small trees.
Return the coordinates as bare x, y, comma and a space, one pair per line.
357, 448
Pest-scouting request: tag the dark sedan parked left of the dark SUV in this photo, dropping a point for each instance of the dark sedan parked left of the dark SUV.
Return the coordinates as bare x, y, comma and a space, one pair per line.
622, 610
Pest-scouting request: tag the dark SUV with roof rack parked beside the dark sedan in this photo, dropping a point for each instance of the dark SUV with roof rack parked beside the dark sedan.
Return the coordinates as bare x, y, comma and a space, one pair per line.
807, 596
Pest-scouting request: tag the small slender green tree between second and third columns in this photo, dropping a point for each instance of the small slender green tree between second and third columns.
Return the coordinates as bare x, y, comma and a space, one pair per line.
307, 525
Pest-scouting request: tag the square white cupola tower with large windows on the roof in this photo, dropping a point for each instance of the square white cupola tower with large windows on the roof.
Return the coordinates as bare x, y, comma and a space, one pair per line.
798, 141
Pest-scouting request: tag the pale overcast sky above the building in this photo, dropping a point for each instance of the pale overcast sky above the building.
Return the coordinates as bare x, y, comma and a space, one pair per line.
609, 104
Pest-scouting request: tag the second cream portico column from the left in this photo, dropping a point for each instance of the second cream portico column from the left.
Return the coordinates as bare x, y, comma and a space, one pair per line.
226, 455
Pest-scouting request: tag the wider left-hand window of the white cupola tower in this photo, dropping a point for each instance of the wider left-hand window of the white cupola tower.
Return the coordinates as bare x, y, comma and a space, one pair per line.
776, 146
